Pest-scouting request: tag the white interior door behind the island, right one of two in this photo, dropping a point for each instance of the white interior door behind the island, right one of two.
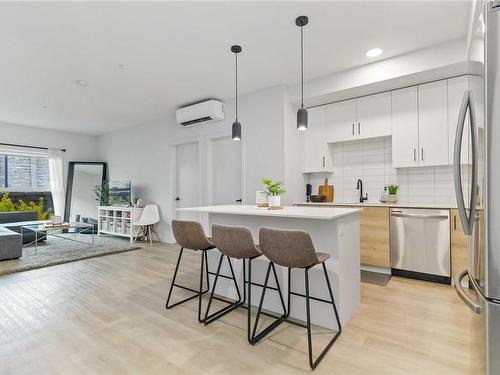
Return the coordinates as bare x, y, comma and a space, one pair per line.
226, 171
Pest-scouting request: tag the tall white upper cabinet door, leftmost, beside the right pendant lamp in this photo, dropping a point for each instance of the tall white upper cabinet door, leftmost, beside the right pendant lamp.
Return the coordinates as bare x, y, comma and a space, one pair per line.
316, 156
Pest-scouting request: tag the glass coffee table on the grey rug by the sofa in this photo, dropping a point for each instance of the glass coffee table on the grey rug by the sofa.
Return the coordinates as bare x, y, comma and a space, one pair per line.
42, 231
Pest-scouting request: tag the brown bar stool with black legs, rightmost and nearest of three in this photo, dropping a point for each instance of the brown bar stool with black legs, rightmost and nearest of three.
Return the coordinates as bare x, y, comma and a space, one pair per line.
294, 249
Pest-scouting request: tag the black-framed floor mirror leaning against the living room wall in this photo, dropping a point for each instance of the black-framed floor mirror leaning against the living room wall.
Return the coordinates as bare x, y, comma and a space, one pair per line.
81, 205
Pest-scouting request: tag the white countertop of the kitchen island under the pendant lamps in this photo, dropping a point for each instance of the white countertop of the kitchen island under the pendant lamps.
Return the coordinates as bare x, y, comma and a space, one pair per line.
286, 212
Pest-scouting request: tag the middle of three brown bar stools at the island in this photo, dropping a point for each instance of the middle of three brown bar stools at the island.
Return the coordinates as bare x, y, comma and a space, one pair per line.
237, 243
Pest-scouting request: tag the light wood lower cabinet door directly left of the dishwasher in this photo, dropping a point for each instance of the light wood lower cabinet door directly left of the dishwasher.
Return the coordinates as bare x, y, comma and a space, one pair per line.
374, 228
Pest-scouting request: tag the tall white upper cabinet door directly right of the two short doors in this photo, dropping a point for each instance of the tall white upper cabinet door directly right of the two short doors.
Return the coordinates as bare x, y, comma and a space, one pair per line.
405, 128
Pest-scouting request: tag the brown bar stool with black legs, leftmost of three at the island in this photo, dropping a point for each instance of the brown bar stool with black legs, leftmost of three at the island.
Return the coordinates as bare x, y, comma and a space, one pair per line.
190, 235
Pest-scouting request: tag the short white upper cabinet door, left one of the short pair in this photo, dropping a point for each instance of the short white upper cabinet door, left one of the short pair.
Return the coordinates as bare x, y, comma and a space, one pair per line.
341, 121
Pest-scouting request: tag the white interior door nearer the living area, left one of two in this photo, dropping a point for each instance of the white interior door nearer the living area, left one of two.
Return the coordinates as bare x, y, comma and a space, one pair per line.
187, 180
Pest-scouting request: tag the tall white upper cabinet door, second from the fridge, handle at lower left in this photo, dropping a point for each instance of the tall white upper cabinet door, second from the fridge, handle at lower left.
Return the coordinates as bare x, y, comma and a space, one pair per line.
433, 123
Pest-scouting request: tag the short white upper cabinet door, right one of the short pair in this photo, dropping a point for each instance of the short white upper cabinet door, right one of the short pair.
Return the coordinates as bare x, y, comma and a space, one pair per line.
373, 115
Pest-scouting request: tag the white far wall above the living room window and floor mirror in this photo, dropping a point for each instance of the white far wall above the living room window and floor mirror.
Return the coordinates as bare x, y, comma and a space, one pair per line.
79, 147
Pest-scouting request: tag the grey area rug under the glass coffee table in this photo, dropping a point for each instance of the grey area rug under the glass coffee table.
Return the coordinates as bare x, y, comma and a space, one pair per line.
59, 251
